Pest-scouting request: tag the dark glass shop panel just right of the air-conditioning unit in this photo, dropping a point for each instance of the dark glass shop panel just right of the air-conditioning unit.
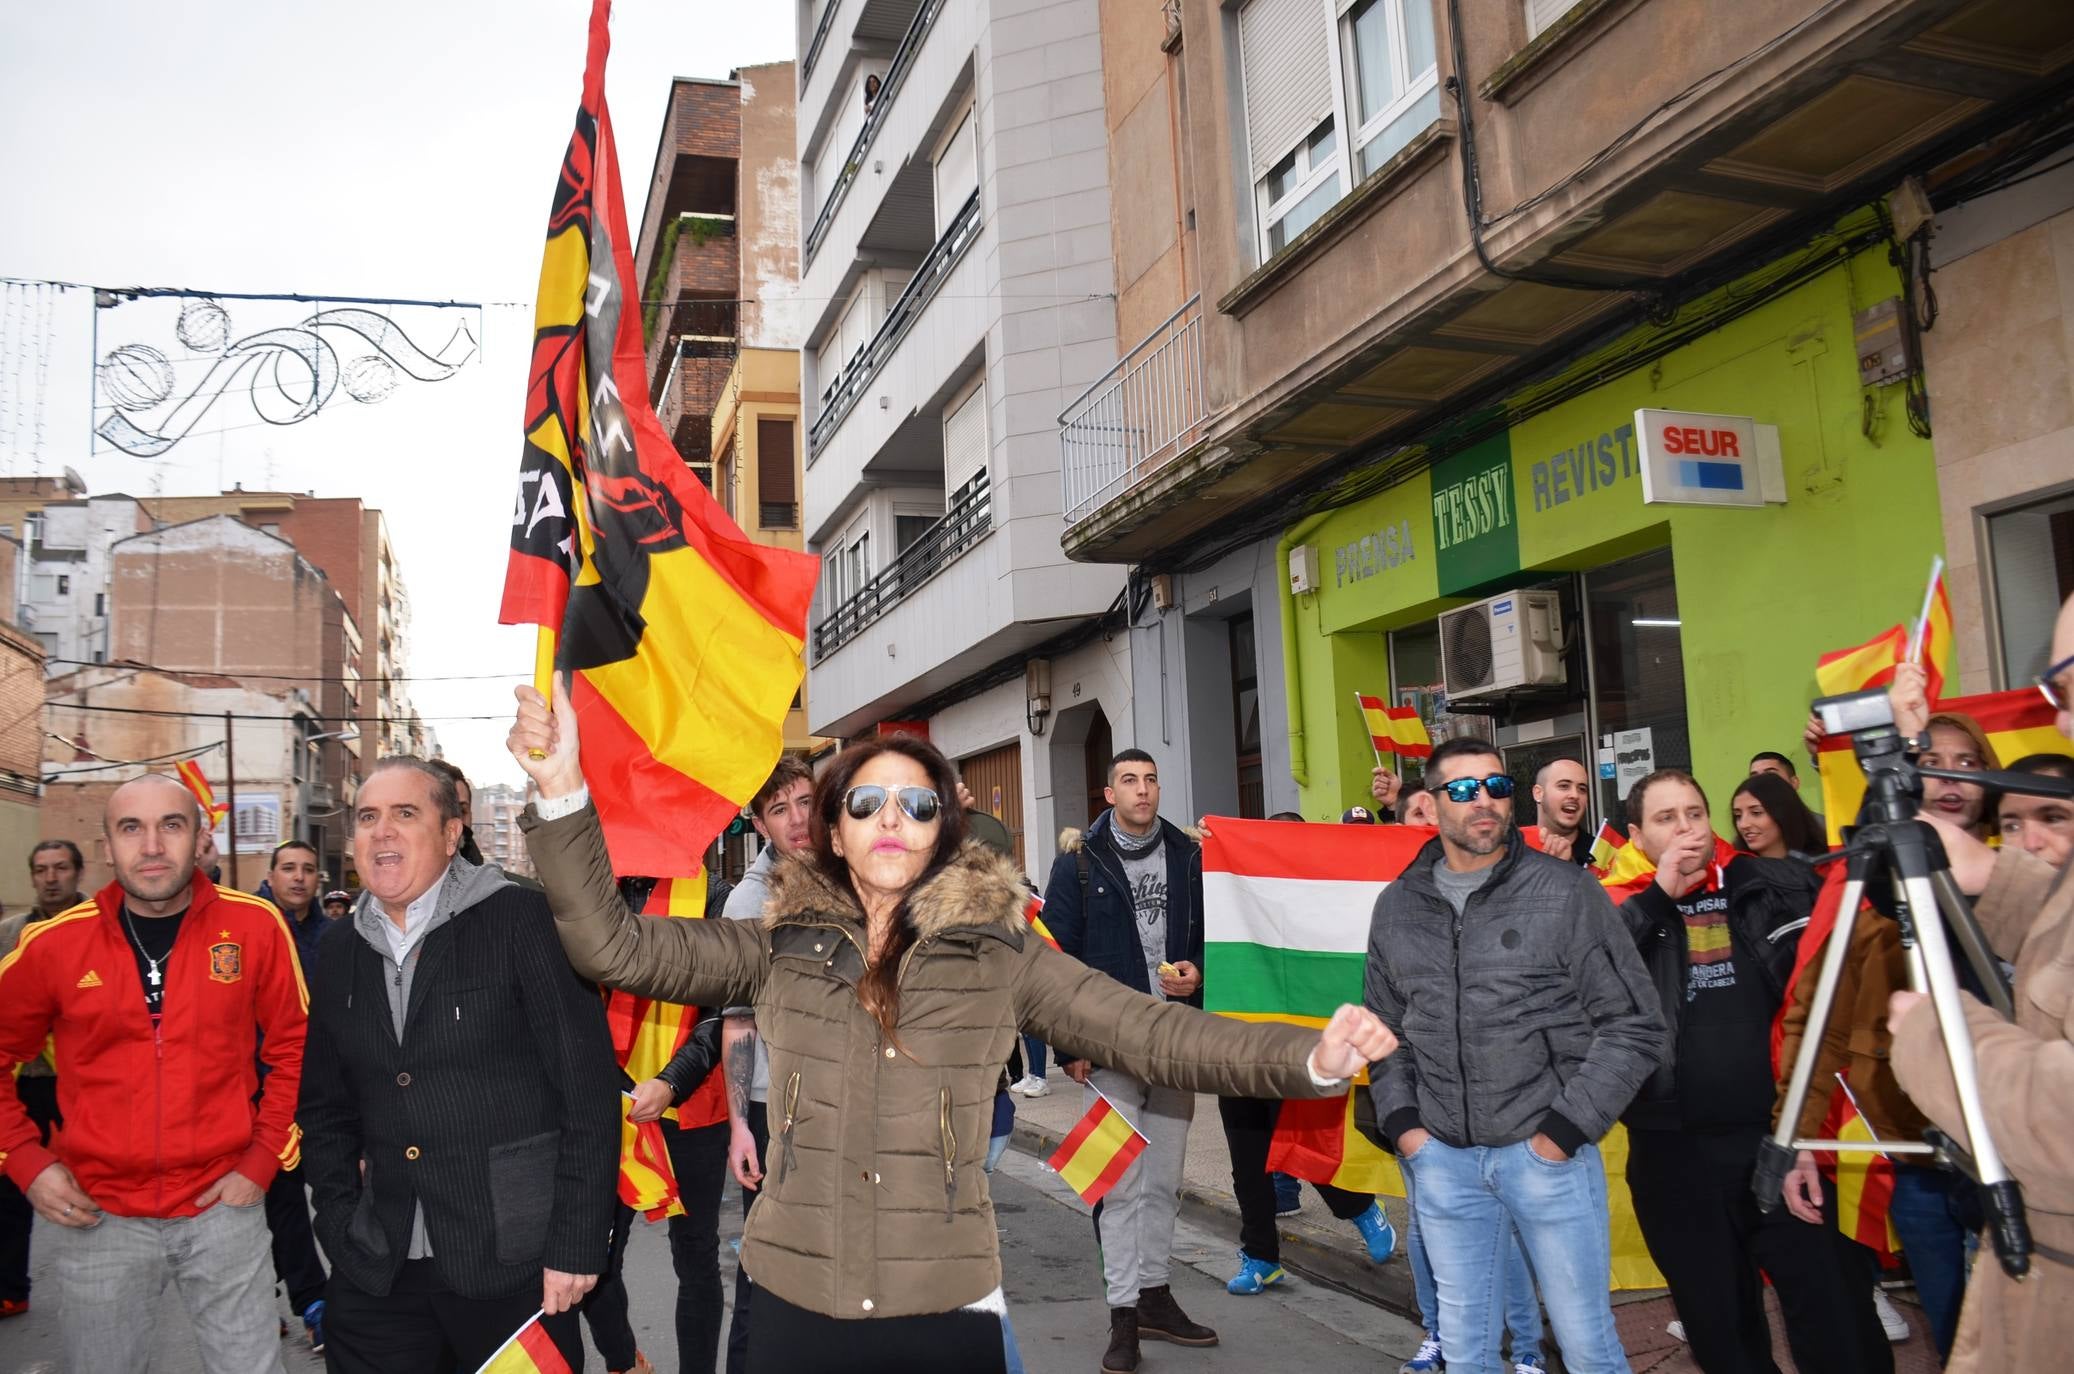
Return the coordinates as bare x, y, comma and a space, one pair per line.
1637, 655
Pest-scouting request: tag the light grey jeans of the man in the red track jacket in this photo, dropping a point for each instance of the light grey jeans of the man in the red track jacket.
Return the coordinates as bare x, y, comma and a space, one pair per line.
113, 1273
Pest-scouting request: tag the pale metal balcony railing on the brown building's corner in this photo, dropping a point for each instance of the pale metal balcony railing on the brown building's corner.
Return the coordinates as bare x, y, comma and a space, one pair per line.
1136, 416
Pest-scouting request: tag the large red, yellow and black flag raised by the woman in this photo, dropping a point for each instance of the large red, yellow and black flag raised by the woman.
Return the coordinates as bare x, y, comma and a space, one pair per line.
683, 638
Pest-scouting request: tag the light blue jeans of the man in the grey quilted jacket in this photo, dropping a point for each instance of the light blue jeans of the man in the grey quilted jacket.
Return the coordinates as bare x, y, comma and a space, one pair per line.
1472, 1205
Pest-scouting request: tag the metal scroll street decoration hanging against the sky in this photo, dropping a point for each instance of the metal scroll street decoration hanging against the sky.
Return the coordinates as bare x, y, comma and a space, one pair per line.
150, 397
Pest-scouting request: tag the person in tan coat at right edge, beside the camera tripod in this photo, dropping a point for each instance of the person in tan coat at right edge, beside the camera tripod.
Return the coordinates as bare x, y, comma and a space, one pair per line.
2025, 1072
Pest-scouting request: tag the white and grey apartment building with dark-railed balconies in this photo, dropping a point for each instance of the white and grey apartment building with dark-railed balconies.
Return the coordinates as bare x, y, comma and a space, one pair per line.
957, 285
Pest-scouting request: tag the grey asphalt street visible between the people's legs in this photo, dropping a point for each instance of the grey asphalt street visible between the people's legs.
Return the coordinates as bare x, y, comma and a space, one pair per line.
1053, 1282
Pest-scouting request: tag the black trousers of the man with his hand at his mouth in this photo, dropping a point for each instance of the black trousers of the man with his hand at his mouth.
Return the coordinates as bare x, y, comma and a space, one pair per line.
1704, 1230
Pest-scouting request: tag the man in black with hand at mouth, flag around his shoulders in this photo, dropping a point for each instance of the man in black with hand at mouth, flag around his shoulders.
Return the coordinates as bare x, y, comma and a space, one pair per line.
1720, 931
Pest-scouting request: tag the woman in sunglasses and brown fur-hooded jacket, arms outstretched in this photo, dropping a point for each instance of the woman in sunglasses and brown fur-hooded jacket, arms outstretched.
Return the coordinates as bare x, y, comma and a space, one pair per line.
891, 974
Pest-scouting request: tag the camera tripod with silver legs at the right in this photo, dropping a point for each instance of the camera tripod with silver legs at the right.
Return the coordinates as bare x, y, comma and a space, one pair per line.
1890, 844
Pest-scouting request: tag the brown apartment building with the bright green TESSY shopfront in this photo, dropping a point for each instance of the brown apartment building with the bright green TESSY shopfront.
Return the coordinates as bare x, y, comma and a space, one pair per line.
1594, 327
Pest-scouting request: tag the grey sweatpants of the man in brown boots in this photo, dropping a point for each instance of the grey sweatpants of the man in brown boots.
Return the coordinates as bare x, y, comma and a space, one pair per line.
1138, 1215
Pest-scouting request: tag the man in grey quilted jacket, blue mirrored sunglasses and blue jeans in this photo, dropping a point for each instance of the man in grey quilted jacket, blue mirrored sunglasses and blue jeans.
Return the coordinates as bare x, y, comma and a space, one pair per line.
1530, 1024
